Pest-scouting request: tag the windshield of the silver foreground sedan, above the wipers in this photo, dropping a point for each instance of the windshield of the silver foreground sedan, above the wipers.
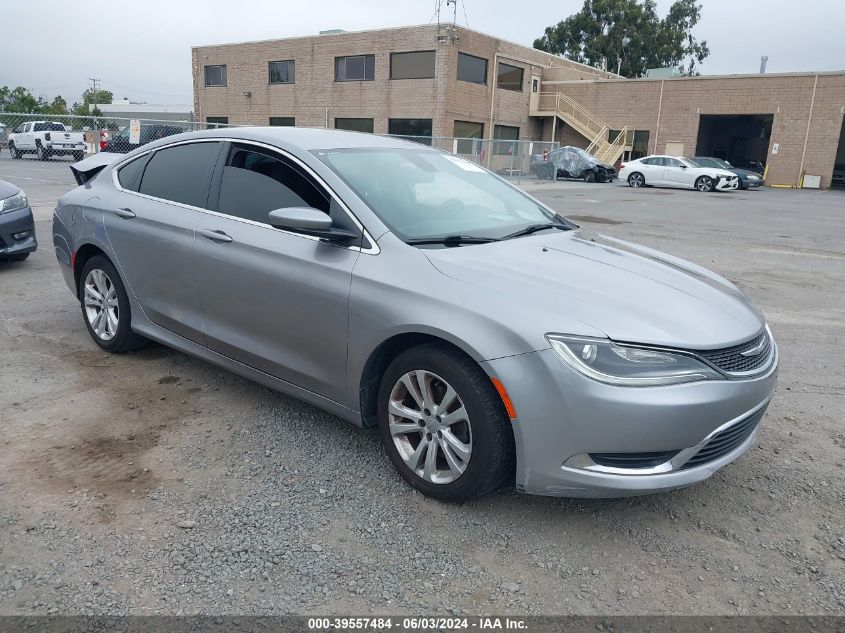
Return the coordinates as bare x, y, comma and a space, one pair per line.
423, 193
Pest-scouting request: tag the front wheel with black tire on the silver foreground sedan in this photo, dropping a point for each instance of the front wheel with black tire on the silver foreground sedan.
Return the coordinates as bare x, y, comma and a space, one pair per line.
443, 424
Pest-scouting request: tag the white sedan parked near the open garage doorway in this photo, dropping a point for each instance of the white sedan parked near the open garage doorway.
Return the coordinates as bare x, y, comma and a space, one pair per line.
671, 171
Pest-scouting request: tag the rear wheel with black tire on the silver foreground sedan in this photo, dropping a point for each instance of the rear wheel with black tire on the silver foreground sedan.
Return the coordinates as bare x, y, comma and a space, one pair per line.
105, 307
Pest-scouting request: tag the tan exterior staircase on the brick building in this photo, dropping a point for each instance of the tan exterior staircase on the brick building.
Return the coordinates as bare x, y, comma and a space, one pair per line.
585, 123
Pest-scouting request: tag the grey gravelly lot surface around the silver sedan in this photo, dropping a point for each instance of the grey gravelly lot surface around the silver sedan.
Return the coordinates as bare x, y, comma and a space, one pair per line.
155, 483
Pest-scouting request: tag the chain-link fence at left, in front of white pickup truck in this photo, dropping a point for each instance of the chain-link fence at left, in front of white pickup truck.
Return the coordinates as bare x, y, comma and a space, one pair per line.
48, 136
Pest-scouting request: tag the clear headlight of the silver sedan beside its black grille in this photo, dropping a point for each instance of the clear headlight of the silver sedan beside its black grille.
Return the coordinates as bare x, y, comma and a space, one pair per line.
628, 366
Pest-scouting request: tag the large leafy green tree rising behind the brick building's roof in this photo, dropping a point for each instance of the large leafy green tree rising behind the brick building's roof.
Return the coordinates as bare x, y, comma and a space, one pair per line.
607, 32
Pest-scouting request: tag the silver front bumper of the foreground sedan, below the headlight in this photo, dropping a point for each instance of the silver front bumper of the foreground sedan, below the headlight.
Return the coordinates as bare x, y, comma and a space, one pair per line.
564, 416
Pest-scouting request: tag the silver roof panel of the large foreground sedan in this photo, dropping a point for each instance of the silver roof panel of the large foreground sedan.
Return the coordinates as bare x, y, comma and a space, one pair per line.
302, 138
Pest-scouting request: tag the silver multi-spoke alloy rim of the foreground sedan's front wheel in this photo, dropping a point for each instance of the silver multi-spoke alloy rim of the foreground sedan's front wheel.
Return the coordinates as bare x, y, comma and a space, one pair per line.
430, 427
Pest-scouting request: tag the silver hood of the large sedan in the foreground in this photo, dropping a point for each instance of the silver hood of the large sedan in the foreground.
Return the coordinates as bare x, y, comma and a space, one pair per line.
579, 280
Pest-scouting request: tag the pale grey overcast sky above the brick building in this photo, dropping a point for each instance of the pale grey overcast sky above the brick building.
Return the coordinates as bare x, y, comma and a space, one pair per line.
141, 48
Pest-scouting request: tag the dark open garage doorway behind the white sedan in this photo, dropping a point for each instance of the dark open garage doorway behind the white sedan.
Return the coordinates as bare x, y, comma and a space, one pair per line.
742, 140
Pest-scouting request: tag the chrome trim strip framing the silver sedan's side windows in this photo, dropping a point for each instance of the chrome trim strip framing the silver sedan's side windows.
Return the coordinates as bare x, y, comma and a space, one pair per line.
373, 249
